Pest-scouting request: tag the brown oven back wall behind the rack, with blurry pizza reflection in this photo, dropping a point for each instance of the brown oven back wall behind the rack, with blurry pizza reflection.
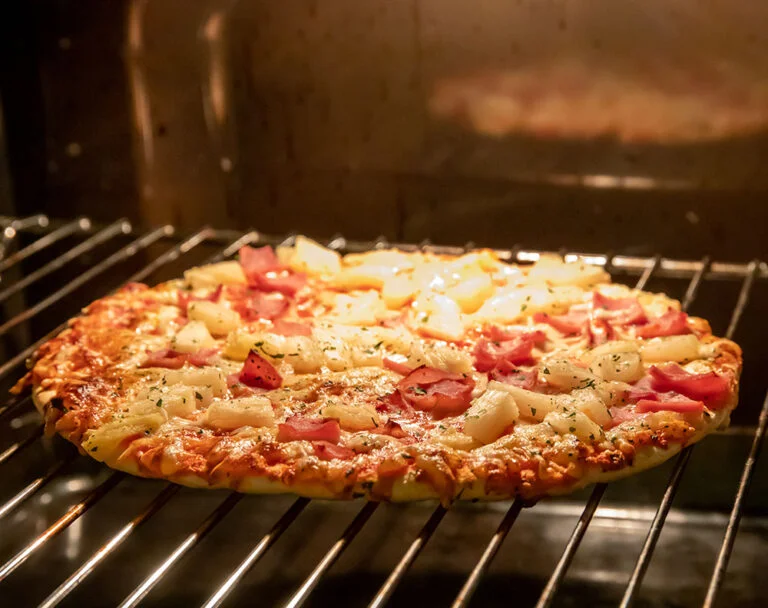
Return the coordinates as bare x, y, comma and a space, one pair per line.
320, 118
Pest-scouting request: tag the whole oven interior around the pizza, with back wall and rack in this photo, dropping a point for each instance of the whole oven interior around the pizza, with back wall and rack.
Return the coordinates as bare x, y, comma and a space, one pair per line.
633, 133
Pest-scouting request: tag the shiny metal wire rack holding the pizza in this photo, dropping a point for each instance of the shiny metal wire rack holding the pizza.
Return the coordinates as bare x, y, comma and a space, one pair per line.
48, 234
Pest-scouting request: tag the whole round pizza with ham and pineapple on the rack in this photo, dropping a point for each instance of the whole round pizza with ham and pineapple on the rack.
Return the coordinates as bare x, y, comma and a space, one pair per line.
389, 375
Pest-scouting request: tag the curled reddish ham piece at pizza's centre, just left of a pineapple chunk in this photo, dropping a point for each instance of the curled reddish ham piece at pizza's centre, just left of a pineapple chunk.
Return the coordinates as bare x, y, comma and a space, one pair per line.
436, 391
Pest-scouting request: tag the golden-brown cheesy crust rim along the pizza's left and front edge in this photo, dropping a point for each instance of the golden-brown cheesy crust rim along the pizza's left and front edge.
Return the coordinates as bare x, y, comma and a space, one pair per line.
84, 375
